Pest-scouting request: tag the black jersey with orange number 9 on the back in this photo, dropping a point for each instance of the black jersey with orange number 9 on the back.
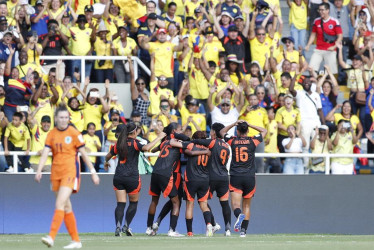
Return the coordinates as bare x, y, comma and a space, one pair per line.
219, 158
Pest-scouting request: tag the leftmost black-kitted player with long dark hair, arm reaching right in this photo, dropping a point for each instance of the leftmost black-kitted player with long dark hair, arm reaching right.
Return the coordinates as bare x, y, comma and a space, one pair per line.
126, 180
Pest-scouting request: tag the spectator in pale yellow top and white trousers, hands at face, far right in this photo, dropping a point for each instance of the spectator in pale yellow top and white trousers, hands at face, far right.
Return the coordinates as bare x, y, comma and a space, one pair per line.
343, 141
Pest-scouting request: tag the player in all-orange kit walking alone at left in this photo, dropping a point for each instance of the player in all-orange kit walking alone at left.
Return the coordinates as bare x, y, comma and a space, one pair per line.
65, 142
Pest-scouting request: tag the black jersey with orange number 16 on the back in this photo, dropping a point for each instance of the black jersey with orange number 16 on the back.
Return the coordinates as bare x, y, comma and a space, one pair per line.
243, 154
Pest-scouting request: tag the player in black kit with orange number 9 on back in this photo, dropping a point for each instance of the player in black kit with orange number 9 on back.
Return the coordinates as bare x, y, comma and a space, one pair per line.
218, 173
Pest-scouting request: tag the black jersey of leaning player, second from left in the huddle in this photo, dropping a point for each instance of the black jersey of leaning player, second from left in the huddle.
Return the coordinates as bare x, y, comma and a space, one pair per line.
168, 160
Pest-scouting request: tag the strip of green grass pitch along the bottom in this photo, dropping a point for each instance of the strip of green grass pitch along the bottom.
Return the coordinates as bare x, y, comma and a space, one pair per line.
107, 241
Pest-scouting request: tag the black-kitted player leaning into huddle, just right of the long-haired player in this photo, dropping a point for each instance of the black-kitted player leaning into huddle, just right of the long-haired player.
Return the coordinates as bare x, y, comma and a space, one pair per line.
163, 180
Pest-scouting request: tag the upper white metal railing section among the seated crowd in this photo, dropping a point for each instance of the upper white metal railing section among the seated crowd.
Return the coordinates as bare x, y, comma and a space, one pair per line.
135, 59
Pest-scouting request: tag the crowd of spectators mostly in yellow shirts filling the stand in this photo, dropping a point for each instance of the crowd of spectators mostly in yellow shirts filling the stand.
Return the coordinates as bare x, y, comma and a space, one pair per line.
210, 61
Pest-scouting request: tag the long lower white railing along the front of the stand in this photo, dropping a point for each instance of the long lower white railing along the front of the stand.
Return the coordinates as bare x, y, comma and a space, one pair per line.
327, 157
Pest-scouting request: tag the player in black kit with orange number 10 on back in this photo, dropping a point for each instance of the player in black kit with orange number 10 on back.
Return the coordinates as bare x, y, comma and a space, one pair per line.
196, 180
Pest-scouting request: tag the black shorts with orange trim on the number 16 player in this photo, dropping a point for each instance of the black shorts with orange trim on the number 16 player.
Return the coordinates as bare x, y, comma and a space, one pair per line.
245, 185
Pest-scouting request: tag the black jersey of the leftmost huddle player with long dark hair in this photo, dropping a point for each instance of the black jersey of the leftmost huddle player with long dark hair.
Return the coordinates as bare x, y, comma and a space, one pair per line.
128, 167
